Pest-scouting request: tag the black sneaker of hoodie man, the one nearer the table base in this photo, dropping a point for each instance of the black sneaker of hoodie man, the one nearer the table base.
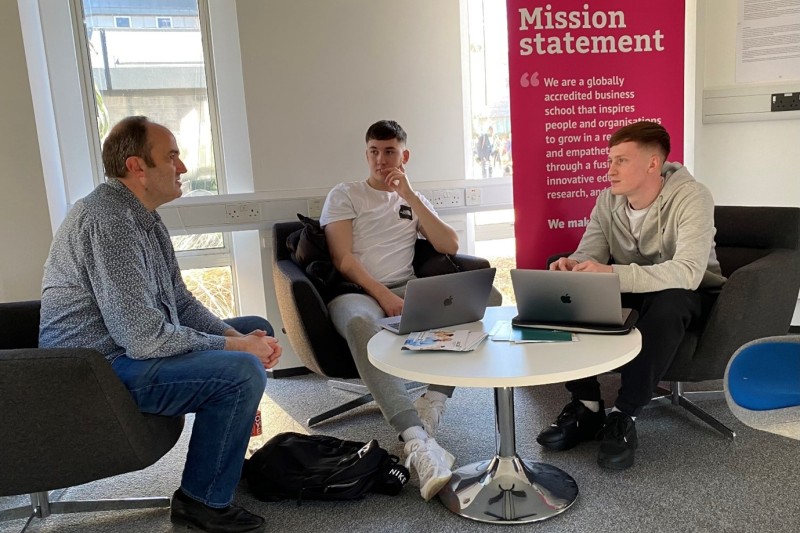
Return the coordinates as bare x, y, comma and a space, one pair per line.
576, 423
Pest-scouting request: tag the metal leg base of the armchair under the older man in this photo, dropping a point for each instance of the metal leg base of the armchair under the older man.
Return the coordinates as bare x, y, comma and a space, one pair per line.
42, 507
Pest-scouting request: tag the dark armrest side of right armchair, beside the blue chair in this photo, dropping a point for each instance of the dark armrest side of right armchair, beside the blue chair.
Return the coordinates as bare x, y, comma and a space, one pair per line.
758, 300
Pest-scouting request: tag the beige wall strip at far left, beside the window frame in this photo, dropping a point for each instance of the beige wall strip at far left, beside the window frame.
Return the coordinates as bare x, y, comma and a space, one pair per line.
25, 232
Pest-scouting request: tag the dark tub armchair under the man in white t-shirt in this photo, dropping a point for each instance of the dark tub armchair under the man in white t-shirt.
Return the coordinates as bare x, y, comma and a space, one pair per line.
307, 323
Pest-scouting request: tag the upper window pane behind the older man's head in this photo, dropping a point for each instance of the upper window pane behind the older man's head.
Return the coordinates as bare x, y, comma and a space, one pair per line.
160, 73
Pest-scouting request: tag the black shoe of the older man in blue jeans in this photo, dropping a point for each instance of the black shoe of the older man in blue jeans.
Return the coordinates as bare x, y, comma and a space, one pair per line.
188, 512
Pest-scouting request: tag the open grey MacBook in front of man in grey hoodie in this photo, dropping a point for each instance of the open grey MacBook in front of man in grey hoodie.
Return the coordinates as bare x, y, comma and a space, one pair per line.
586, 302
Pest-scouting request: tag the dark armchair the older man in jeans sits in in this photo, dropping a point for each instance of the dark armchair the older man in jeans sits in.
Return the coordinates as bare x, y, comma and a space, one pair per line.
66, 420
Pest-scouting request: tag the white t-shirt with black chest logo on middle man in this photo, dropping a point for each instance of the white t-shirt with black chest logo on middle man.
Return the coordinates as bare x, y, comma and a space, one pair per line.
384, 228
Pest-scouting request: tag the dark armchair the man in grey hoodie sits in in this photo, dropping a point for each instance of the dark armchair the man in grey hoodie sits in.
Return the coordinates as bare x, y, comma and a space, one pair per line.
759, 252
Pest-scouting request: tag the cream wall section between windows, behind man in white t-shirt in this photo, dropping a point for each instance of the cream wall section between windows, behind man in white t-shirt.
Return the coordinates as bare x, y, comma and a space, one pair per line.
317, 74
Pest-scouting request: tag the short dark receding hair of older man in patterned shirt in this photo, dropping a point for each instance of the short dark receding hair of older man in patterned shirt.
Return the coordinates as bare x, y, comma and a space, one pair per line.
128, 138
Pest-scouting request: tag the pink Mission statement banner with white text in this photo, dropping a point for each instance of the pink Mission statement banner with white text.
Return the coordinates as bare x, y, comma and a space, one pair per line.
578, 71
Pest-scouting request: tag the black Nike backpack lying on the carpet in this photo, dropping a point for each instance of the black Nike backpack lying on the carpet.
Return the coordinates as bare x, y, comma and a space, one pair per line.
319, 467
